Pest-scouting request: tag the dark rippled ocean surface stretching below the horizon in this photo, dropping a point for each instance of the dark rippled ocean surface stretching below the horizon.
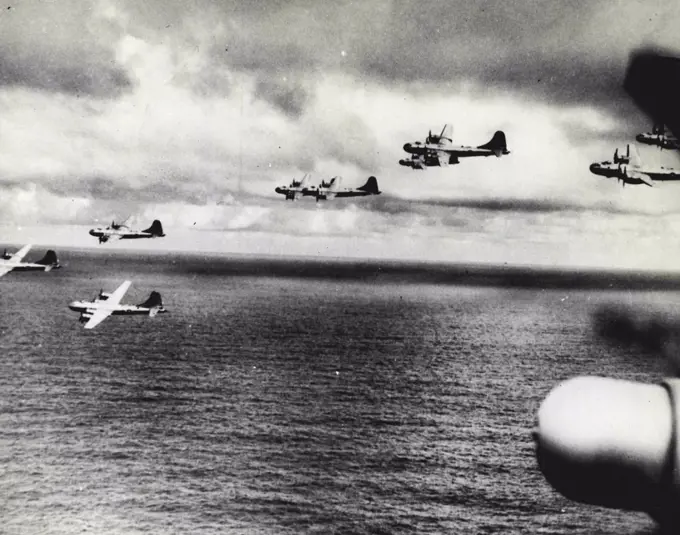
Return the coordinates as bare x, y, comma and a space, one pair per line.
281, 397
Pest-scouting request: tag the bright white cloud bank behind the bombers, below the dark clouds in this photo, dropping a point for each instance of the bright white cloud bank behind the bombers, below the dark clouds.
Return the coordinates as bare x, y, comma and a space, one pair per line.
199, 144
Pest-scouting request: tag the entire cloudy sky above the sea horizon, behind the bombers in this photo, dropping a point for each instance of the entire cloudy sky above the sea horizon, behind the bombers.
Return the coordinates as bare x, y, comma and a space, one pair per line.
193, 112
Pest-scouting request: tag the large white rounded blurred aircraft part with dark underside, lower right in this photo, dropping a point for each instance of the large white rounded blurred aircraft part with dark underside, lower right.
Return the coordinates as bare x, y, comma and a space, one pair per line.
614, 443
